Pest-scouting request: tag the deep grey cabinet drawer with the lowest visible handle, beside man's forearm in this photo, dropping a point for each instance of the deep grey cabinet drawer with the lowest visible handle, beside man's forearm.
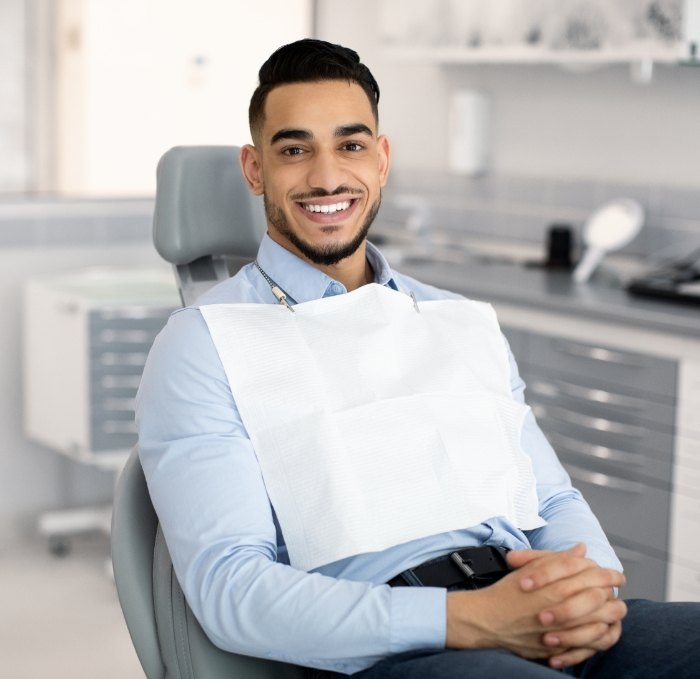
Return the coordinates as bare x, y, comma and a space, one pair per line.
632, 511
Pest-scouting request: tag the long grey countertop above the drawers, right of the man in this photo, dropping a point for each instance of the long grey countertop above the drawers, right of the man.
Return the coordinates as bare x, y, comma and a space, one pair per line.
603, 298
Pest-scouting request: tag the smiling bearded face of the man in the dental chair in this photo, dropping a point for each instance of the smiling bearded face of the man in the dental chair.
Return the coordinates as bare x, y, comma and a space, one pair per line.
320, 167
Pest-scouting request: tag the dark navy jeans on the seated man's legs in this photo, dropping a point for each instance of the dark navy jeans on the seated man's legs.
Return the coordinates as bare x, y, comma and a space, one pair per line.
658, 640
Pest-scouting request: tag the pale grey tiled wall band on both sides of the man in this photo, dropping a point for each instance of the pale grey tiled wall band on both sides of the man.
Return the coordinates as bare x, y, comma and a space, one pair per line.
516, 209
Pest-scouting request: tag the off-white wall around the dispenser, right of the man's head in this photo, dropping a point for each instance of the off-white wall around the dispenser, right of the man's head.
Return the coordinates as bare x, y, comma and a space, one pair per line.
545, 122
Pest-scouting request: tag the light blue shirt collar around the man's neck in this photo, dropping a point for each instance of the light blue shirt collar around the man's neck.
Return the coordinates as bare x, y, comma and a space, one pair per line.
303, 282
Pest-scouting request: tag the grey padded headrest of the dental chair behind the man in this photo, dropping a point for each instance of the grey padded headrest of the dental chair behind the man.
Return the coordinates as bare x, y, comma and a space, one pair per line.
203, 205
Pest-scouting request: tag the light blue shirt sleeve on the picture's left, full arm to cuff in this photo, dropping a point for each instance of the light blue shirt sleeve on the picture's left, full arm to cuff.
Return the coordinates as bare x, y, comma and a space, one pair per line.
210, 498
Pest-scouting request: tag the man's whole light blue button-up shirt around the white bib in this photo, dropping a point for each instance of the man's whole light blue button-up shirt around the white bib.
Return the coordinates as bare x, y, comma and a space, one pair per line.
226, 546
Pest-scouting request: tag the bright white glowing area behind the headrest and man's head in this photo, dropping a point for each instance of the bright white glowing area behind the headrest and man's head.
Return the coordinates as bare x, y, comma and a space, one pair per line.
135, 78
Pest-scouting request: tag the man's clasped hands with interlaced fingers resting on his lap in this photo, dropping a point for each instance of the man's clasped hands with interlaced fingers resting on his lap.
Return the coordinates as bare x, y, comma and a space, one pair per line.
558, 606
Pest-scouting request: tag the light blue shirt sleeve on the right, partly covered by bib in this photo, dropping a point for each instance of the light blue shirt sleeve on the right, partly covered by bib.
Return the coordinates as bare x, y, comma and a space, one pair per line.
569, 517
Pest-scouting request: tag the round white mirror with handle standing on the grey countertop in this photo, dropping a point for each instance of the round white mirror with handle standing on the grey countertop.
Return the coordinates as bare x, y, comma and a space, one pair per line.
609, 228
